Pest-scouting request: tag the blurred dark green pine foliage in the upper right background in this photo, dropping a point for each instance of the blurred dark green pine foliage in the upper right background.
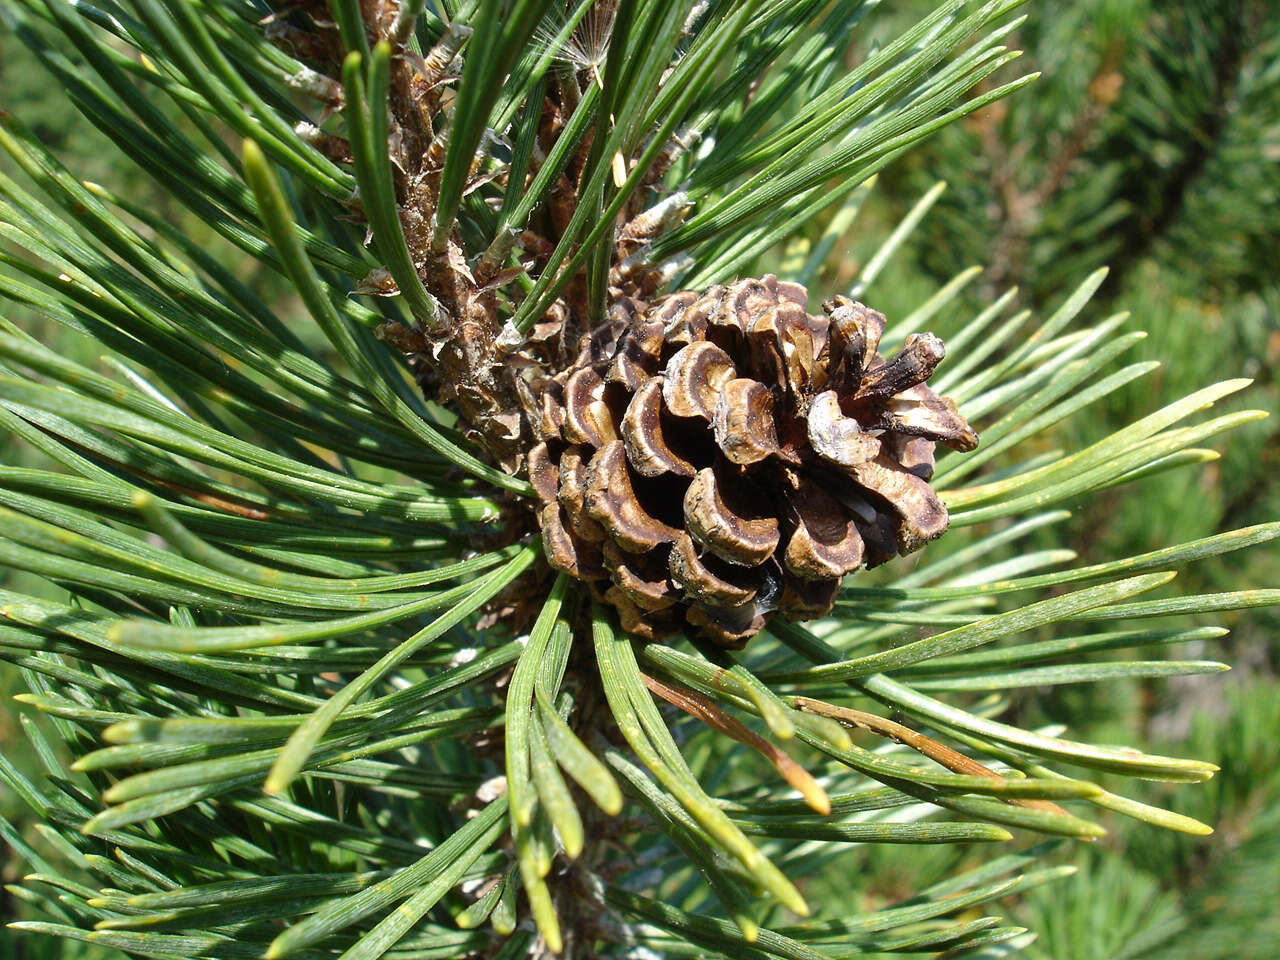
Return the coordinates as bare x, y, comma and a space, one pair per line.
1150, 145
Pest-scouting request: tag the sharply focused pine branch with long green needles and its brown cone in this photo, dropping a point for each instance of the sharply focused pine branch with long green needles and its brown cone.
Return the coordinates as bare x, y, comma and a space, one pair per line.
431, 519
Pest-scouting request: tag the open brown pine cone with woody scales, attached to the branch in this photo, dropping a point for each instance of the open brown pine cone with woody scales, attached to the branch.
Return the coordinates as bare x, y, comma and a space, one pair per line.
720, 456
